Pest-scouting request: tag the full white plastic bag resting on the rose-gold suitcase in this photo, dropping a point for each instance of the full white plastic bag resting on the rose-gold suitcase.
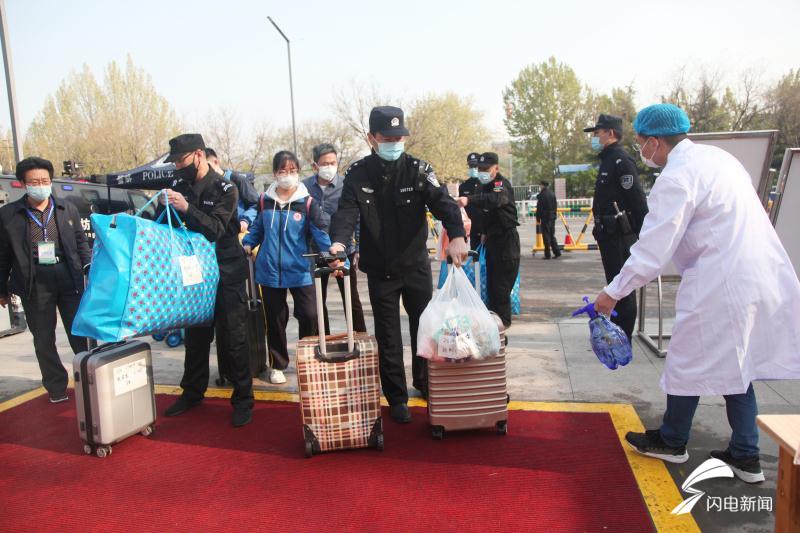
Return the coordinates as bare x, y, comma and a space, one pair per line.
456, 325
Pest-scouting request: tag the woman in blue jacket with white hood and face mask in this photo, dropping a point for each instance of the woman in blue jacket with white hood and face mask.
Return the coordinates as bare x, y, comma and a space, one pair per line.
288, 217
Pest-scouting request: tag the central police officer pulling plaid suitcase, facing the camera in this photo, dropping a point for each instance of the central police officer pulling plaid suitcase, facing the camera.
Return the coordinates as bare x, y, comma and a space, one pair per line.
390, 190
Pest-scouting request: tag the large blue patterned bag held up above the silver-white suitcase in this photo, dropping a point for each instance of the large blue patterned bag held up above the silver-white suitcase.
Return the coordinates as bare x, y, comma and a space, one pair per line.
139, 283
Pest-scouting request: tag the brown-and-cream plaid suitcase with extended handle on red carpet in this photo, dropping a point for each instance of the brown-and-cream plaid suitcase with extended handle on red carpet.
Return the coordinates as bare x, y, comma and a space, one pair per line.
339, 385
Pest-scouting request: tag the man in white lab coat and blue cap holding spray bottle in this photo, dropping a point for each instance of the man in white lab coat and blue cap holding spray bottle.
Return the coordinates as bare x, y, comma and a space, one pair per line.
738, 306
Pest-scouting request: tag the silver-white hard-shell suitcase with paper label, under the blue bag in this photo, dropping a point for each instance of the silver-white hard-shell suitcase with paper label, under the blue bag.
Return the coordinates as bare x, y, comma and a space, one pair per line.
114, 394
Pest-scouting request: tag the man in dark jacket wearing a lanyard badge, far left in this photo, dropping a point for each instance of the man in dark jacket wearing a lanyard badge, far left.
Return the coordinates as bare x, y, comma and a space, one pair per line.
44, 251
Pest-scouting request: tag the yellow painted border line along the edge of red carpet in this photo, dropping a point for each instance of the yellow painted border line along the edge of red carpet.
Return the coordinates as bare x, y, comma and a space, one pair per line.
659, 491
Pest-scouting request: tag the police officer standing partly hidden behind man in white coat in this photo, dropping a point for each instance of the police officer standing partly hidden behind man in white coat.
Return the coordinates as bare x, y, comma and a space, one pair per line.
619, 208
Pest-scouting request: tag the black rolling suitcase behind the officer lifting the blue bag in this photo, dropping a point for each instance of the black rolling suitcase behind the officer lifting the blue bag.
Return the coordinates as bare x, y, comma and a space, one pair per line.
256, 333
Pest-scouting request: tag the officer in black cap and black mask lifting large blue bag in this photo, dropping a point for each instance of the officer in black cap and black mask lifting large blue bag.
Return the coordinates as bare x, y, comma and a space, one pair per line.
208, 205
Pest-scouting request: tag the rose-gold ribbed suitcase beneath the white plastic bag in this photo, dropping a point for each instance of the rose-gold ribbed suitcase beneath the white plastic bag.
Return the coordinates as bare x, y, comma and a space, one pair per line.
469, 395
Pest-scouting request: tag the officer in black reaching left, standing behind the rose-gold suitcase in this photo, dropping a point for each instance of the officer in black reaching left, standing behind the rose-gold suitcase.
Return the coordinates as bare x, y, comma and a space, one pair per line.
496, 199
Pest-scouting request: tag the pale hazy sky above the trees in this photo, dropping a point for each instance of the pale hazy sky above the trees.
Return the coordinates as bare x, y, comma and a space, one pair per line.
204, 54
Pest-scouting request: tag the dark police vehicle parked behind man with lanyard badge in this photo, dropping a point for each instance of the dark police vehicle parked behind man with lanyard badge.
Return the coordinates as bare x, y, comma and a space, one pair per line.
87, 197
